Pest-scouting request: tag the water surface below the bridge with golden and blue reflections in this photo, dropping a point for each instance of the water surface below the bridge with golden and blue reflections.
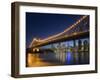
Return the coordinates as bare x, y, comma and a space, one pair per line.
47, 59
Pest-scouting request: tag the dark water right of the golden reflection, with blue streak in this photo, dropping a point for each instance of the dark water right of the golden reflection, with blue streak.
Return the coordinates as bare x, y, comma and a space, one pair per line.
68, 58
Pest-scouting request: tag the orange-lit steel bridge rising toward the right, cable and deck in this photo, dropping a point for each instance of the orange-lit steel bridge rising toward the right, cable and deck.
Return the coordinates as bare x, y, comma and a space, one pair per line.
78, 30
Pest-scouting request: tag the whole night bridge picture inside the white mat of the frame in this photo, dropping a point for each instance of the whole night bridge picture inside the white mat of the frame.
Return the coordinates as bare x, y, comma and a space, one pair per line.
56, 39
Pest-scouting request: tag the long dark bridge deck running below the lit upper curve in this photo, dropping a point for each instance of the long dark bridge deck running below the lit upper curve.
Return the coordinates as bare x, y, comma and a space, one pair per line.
74, 36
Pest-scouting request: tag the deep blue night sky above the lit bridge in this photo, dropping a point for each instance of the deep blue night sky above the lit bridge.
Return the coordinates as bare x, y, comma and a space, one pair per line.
42, 25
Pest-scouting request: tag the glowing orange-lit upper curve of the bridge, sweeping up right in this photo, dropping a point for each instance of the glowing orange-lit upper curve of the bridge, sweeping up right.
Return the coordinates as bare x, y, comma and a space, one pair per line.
54, 37
